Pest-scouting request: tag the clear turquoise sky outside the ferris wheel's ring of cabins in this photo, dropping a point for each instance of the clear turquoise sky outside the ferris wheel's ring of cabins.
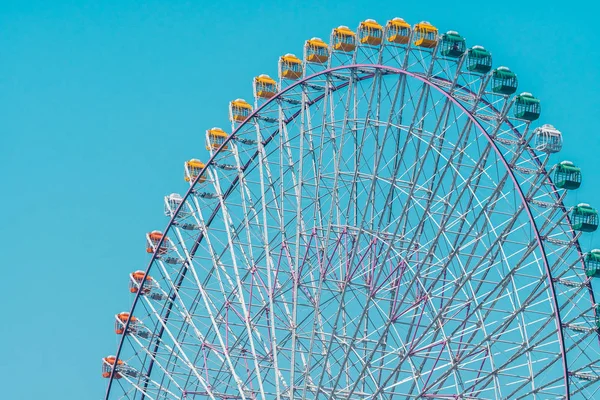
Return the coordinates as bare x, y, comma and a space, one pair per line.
101, 102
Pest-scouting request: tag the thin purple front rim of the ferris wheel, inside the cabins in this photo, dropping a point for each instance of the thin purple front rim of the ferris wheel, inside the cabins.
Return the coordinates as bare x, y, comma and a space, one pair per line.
456, 103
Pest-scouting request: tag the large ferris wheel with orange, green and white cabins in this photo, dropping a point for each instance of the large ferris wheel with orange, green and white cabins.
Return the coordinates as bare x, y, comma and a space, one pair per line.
384, 220
